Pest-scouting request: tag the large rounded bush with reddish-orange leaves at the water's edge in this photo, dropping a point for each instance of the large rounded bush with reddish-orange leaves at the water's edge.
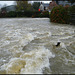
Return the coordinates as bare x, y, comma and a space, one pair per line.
59, 14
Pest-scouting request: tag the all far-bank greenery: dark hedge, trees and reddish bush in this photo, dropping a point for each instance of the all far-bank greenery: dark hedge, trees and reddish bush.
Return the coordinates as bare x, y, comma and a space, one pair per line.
58, 14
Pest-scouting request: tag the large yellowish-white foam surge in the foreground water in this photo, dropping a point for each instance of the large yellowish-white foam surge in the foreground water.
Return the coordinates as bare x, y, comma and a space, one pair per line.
32, 62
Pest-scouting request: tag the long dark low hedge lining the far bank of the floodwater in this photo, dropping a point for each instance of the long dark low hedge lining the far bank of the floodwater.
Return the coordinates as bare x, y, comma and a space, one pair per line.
16, 14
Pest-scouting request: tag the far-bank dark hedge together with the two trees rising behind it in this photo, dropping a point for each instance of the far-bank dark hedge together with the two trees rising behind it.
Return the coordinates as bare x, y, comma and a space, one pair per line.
24, 9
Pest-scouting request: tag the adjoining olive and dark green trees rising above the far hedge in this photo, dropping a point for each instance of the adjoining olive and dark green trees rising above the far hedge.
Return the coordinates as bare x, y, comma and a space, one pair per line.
25, 6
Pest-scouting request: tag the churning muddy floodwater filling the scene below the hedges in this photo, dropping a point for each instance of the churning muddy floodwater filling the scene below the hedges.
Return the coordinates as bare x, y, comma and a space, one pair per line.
28, 46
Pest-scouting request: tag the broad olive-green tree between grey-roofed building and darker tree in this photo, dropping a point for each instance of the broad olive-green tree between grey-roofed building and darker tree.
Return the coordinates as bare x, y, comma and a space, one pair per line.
23, 5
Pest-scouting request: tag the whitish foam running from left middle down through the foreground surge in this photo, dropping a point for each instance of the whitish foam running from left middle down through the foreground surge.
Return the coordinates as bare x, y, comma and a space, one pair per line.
21, 62
